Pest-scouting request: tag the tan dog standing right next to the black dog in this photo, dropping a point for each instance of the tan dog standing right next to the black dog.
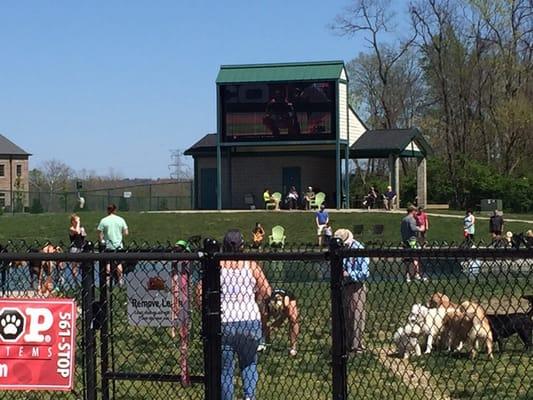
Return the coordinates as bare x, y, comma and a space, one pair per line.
468, 324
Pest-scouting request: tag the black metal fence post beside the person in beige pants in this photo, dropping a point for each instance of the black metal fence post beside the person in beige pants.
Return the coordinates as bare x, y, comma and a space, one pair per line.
338, 353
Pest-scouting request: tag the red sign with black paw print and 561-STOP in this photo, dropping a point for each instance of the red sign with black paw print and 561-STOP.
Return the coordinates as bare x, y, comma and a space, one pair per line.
37, 343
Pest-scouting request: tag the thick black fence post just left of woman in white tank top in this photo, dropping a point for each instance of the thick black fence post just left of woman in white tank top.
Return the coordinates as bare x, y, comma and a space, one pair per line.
211, 321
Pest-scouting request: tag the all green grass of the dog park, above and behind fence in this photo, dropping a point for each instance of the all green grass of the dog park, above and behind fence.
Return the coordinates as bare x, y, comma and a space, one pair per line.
308, 376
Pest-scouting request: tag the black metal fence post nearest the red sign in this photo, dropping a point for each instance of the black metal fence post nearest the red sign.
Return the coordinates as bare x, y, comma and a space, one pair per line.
89, 337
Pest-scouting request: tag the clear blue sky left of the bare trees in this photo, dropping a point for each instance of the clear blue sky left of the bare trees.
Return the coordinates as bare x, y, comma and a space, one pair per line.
117, 84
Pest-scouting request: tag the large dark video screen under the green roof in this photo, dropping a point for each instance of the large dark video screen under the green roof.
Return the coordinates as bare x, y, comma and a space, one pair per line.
288, 111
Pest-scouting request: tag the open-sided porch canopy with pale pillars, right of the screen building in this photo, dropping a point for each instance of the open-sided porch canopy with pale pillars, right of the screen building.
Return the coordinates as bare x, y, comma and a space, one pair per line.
394, 144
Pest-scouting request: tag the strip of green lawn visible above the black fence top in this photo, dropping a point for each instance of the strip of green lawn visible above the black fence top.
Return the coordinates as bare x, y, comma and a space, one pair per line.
300, 226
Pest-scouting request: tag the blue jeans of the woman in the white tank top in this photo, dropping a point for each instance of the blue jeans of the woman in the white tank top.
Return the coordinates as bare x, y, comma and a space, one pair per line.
241, 337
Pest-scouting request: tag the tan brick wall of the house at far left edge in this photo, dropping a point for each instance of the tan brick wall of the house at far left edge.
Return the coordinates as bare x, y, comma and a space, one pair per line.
15, 183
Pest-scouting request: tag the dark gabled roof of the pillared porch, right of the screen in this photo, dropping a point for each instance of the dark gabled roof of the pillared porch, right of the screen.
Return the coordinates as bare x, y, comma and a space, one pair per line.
380, 143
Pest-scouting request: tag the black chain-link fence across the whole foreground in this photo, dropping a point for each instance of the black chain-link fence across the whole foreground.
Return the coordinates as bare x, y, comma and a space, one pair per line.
158, 321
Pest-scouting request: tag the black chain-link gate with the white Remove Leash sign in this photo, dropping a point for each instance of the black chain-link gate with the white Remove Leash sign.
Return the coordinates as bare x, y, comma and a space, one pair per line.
150, 330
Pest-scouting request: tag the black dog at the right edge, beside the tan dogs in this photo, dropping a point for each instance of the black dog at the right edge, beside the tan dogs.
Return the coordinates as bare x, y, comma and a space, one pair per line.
506, 325
